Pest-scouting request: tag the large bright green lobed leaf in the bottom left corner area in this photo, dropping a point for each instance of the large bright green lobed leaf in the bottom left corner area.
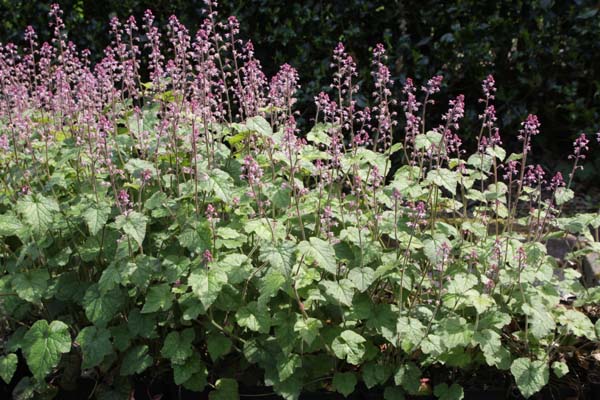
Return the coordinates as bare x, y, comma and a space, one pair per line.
43, 345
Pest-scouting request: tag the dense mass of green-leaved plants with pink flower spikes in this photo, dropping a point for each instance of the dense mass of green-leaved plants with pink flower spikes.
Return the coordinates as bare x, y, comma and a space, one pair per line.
180, 225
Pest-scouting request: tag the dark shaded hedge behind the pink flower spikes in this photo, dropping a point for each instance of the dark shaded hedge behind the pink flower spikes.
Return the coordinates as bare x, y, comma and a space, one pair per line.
545, 55
